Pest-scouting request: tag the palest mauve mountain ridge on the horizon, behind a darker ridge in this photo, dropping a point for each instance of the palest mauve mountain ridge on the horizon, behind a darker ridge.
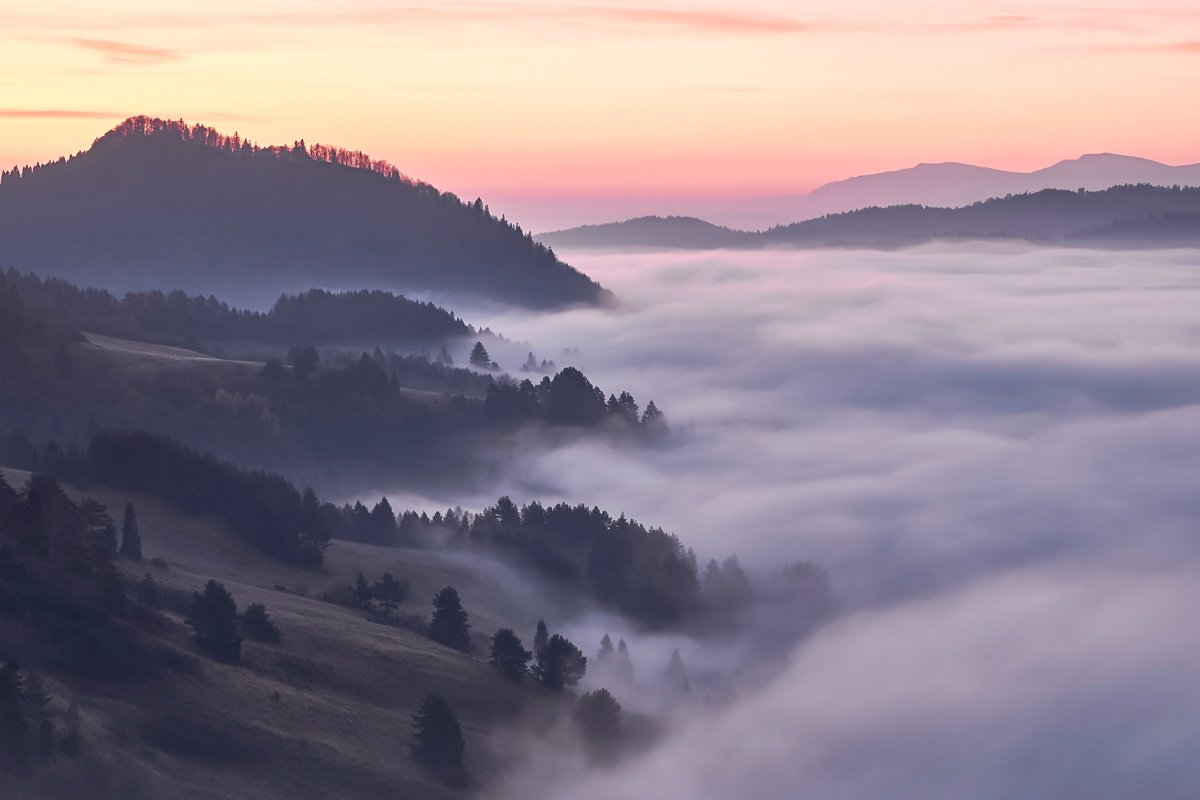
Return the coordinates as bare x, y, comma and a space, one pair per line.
951, 185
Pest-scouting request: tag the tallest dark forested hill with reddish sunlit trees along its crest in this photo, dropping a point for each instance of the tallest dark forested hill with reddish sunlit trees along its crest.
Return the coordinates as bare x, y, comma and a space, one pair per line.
160, 204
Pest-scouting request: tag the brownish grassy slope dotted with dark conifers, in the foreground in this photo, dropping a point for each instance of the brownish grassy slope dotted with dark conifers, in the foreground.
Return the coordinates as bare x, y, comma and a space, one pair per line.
347, 687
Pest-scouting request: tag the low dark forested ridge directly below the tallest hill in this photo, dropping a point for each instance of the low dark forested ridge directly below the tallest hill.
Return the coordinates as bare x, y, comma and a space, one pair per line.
316, 317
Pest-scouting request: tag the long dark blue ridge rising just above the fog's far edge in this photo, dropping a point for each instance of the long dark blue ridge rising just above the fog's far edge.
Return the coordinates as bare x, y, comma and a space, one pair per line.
1143, 216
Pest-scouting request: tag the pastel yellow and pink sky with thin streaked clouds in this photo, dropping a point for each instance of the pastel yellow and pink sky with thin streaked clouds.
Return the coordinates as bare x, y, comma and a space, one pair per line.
598, 105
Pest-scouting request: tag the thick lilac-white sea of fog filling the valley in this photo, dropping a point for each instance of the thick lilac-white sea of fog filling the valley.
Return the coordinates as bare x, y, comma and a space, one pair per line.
994, 452
